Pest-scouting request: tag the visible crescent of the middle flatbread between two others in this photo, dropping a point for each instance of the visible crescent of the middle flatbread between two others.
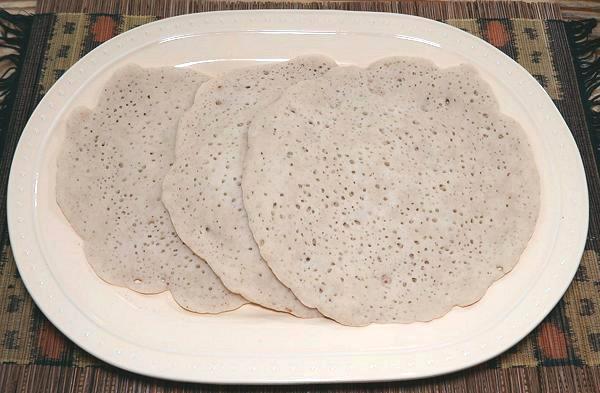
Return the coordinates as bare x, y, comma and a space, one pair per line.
202, 191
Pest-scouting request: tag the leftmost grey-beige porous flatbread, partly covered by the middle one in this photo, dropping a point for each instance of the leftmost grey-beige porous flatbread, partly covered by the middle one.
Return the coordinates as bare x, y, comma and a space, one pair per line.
110, 171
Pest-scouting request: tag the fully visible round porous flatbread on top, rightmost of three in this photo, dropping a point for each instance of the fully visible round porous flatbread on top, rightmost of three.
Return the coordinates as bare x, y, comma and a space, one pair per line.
392, 193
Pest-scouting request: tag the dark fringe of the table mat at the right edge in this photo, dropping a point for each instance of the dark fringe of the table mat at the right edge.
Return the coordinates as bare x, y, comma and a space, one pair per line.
586, 58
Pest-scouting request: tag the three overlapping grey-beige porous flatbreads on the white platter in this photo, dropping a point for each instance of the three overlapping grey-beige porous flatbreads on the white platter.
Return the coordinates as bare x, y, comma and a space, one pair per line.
366, 195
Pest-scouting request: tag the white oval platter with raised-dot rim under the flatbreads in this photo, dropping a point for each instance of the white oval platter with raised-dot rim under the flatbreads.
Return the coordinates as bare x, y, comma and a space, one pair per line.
151, 335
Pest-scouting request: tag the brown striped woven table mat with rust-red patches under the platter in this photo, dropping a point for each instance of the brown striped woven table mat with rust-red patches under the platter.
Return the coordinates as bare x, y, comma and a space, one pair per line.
562, 354
